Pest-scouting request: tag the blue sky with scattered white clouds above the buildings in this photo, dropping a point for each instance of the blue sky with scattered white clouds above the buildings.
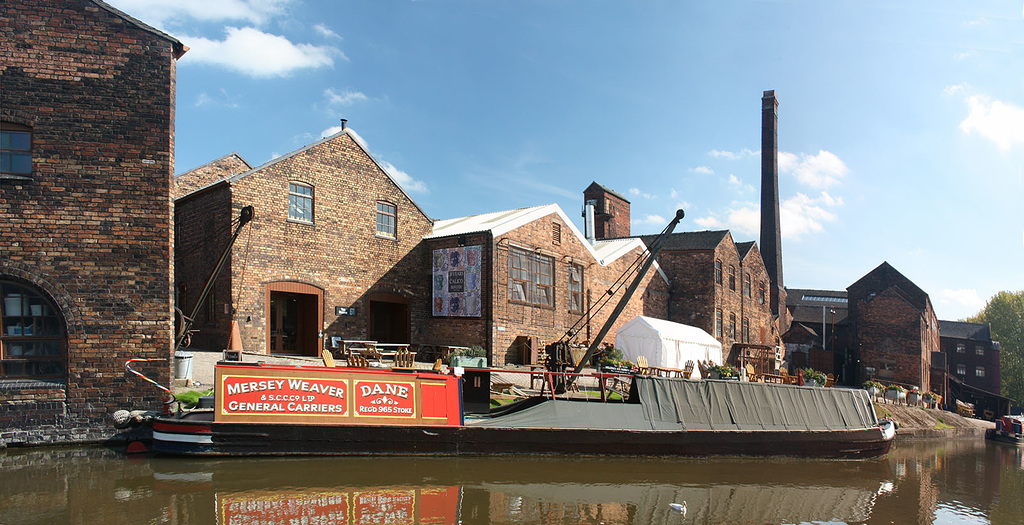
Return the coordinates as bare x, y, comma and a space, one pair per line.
902, 128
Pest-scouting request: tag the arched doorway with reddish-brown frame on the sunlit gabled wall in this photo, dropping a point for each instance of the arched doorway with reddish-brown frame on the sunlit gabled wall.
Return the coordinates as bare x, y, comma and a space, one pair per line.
295, 314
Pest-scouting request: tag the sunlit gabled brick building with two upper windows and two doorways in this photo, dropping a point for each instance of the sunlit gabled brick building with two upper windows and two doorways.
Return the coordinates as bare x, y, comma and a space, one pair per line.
335, 251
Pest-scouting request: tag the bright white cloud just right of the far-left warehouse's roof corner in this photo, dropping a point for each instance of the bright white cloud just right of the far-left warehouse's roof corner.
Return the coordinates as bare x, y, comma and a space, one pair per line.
255, 54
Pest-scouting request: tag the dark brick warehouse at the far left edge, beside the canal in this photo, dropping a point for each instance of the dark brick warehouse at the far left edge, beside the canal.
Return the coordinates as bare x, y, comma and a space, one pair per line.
88, 124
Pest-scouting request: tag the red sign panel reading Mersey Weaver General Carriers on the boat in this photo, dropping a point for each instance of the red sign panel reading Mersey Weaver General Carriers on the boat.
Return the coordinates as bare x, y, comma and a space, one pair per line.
291, 397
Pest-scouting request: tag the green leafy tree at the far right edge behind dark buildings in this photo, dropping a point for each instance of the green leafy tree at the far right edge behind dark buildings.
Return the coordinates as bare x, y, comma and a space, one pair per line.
1005, 312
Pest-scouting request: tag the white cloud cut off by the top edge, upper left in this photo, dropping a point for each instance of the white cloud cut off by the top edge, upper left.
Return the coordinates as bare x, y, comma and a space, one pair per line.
161, 14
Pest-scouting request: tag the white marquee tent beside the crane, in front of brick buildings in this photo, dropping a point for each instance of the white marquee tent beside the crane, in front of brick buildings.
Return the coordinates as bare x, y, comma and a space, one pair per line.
667, 344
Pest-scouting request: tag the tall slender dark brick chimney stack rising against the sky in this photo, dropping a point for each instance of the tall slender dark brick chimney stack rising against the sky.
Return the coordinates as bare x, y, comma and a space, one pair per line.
772, 237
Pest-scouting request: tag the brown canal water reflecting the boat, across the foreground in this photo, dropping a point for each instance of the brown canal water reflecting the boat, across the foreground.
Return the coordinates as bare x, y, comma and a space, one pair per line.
965, 482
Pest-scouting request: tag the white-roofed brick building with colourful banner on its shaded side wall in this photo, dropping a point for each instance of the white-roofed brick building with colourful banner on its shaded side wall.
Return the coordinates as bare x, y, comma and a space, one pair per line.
538, 278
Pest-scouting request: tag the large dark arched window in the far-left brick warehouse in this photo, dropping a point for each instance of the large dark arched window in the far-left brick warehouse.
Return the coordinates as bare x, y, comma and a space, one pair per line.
33, 341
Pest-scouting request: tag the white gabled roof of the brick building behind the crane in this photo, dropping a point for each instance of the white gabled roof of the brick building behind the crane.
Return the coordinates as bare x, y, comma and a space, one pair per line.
499, 224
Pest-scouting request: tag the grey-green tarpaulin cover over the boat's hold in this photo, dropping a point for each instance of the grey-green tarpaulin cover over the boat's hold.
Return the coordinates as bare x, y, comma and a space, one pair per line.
720, 406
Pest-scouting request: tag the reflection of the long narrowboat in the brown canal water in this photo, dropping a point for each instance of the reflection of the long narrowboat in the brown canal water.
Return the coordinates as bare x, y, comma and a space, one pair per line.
530, 491
